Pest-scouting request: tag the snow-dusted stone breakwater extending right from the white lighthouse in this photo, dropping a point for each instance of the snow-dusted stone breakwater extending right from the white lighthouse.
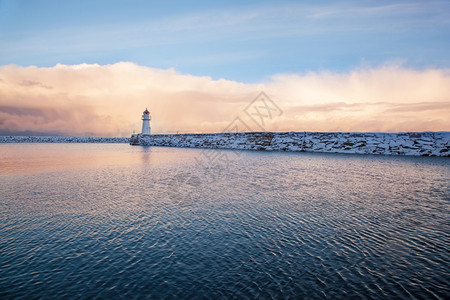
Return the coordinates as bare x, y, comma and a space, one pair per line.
408, 143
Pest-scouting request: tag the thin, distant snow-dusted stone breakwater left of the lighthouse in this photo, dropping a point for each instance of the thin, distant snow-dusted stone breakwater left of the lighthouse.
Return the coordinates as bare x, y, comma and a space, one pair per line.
61, 139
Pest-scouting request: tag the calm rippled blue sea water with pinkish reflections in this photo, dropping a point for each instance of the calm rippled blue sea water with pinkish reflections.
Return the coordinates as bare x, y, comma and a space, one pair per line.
117, 221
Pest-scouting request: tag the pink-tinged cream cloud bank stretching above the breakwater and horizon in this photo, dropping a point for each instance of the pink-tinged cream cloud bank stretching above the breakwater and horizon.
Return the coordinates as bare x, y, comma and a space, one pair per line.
108, 100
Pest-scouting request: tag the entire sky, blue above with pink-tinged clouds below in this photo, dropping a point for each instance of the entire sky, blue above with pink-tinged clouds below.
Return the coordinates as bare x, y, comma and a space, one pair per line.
91, 67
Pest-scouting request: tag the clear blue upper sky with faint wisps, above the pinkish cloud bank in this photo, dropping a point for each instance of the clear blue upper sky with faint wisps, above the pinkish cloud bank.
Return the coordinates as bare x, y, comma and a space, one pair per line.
244, 41
